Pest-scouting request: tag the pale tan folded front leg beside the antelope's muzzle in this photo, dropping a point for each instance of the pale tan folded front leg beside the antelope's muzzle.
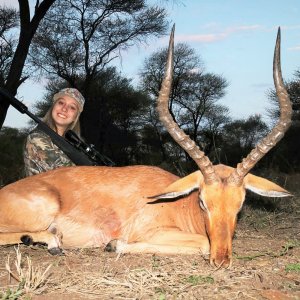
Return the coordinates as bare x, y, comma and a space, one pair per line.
168, 242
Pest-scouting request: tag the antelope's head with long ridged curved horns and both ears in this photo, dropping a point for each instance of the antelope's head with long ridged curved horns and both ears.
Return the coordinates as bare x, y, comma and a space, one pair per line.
221, 188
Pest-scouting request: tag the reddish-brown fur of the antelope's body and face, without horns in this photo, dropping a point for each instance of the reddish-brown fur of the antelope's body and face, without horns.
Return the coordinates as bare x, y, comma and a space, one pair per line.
90, 206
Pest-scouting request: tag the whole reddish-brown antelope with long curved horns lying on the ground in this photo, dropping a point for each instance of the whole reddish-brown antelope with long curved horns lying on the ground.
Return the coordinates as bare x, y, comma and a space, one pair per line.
143, 209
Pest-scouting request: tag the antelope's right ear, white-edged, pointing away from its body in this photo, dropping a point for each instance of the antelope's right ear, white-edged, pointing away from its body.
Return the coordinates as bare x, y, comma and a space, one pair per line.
264, 187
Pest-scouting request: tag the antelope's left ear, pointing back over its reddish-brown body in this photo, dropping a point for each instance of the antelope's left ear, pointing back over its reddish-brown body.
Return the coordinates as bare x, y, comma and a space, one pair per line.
181, 187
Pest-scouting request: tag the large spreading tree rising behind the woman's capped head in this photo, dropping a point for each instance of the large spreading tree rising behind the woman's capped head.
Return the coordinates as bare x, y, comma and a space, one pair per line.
80, 38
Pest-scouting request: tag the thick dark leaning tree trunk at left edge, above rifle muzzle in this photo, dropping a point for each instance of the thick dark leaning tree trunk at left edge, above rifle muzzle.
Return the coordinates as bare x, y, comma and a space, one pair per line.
15, 59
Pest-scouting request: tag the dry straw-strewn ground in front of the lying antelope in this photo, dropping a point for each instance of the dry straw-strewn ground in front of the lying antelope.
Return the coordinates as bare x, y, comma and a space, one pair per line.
92, 274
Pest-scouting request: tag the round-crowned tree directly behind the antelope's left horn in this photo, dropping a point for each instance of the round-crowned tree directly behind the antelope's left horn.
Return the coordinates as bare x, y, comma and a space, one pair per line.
193, 99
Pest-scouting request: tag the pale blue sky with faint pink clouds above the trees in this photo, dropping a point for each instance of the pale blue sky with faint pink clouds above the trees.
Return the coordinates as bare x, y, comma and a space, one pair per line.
234, 38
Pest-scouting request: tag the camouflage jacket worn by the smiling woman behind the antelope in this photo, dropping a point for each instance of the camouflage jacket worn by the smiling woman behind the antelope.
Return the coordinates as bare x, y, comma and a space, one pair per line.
41, 155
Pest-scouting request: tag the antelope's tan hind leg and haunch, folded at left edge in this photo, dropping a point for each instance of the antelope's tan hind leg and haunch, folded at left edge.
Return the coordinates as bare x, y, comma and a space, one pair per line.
28, 214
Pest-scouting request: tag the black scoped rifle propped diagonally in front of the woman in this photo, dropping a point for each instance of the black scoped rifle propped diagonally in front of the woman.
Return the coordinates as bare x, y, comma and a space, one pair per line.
78, 151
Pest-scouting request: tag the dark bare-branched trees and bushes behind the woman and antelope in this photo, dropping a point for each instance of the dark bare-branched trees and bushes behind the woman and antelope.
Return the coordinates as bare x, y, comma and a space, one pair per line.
120, 118
